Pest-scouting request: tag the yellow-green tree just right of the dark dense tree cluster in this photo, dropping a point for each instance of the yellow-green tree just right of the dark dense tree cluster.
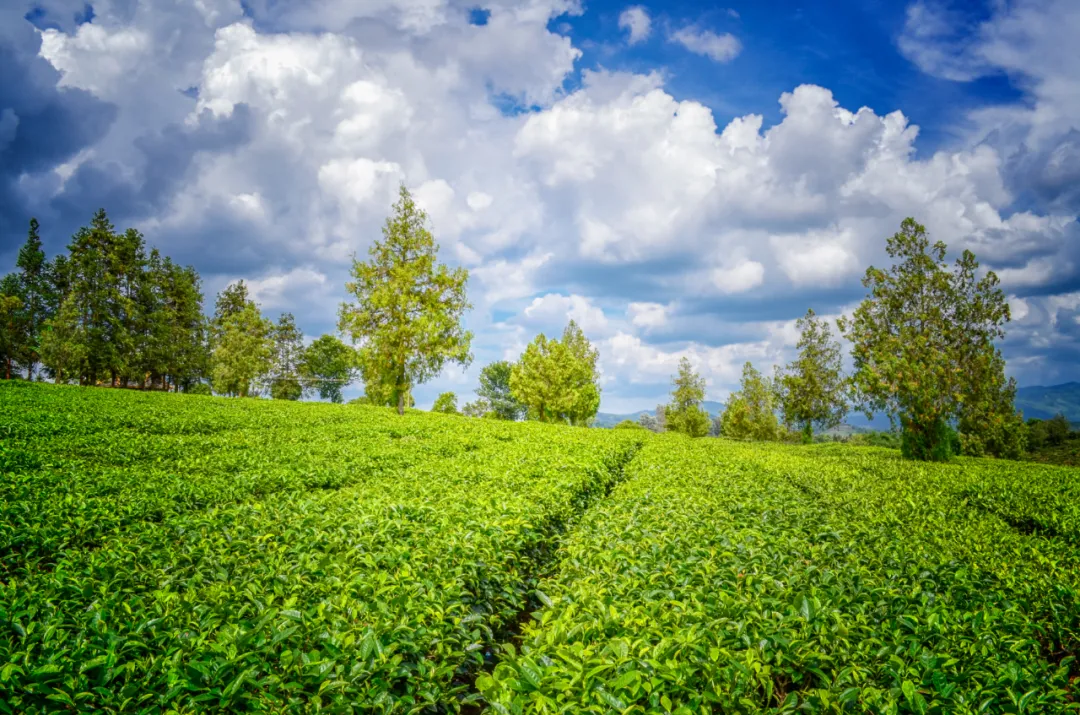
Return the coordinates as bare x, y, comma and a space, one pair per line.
242, 349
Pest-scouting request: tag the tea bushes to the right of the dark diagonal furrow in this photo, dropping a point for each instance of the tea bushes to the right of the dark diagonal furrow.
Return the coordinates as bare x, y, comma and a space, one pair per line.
753, 578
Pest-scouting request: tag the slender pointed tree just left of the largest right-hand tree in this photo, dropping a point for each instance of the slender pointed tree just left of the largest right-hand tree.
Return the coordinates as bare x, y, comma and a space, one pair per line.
813, 390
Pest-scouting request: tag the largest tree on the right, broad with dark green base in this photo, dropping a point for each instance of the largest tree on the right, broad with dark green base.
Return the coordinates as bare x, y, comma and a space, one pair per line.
923, 341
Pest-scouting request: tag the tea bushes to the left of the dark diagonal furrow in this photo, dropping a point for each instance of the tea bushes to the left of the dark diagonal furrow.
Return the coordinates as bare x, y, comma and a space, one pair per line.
271, 556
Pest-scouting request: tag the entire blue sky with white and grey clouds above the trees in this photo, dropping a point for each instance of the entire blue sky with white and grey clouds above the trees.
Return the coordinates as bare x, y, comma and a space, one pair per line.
681, 179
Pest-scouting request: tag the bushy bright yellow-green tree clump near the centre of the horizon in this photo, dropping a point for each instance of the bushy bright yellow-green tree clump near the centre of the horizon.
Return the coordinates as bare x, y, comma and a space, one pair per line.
558, 381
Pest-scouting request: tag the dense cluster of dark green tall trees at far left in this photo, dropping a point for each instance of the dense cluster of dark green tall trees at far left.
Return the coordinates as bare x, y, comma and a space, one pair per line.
107, 313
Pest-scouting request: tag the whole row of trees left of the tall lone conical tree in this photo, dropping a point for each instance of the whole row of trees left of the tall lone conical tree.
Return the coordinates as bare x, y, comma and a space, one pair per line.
109, 313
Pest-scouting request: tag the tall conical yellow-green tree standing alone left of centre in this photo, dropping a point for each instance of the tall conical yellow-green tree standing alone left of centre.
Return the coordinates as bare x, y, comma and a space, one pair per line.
409, 308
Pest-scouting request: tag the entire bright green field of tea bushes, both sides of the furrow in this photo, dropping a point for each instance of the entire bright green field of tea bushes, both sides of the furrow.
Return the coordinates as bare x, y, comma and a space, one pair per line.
172, 554
